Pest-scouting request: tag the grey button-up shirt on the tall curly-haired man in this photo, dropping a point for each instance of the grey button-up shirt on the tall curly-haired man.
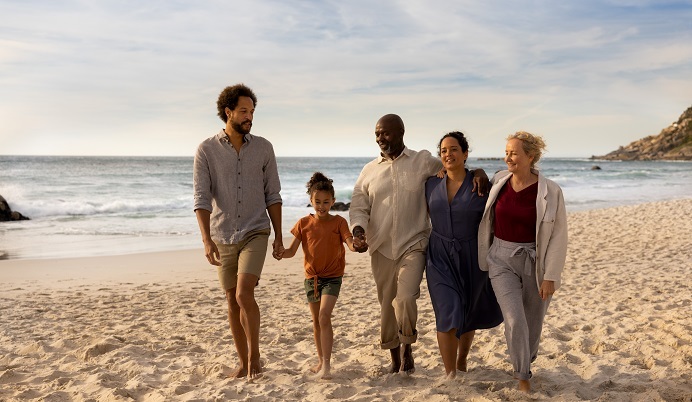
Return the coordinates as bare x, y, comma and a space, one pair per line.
236, 187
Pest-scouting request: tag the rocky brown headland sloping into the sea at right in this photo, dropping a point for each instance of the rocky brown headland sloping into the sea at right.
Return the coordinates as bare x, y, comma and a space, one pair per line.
673, 143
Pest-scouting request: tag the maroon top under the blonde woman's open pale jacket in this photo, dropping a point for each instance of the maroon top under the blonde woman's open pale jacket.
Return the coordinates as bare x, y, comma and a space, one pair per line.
515, 214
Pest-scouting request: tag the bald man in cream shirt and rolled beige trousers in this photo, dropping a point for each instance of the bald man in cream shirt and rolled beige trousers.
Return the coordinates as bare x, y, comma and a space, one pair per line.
389, 219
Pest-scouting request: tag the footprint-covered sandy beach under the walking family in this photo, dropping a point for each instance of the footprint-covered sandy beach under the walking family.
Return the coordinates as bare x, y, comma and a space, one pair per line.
152, 327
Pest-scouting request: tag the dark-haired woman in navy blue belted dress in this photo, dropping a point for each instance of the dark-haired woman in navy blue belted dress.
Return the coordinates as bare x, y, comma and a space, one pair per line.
461, 294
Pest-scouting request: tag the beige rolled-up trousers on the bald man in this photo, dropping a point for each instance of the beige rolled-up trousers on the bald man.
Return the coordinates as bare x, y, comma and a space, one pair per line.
398, 287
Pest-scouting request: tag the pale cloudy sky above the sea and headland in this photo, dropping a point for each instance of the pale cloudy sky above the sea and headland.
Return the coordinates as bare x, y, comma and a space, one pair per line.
84, 77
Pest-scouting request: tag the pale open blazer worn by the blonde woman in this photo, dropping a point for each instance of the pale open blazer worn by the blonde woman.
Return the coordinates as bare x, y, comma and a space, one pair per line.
551, 225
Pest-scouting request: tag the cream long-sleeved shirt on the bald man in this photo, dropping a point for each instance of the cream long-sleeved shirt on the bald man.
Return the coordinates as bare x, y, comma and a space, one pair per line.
388, 201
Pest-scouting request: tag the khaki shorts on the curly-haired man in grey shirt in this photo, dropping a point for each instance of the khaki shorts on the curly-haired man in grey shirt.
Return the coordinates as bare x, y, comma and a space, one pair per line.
246, 257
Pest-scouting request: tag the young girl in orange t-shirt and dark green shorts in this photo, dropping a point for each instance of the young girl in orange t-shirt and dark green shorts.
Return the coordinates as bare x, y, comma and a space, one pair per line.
322, 236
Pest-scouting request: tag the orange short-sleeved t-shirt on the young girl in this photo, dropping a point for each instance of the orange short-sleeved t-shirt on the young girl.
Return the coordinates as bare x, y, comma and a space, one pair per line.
323, 245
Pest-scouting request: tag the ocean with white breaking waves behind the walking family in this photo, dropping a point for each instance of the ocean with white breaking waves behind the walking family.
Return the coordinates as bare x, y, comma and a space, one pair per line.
93, 206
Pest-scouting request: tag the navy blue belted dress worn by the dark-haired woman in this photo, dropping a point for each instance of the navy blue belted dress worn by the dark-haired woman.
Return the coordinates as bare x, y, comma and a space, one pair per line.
461, 293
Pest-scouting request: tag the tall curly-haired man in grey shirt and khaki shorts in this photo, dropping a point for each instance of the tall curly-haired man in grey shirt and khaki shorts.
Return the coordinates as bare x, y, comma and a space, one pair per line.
236, 185
